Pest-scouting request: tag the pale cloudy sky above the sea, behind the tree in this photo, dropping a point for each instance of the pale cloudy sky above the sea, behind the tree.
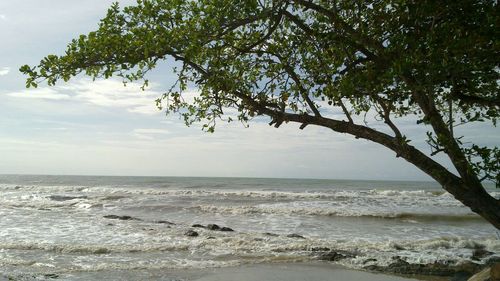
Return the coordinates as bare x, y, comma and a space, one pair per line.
100, 127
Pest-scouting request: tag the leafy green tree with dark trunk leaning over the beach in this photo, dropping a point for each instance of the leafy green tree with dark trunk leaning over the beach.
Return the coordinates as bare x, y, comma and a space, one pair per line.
305, 61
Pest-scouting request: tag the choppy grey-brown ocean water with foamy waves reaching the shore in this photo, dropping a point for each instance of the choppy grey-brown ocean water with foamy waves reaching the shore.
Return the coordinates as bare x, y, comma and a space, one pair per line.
57, 224
